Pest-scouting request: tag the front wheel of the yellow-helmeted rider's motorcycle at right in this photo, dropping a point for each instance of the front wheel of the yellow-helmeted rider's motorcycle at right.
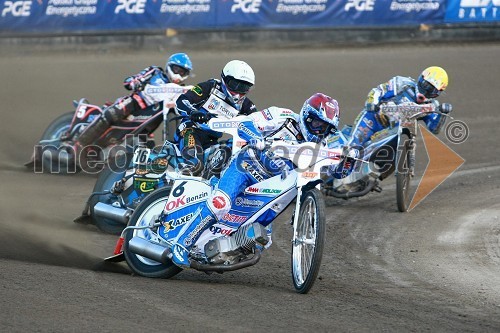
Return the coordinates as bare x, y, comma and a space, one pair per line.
403, 176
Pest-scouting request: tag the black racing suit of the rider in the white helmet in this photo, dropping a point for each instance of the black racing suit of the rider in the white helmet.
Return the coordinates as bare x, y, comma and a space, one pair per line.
193, 135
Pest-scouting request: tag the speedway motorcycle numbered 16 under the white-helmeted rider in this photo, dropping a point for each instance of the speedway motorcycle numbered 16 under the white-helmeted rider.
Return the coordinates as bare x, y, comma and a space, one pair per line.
121, 187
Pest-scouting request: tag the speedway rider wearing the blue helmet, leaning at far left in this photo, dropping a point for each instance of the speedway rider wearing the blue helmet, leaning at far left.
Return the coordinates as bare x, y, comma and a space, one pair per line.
177, 70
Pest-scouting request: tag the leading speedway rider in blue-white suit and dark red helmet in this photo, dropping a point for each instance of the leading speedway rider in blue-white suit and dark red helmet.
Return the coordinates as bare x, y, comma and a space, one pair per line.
318, 118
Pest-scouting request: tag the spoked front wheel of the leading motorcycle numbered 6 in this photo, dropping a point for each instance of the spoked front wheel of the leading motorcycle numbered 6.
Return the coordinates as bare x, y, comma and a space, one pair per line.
309, 240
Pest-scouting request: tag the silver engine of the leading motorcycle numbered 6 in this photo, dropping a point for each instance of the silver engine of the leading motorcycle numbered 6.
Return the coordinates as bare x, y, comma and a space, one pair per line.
241, 243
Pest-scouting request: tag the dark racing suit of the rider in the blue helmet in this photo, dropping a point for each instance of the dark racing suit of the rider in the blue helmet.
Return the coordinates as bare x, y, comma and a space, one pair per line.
134, 104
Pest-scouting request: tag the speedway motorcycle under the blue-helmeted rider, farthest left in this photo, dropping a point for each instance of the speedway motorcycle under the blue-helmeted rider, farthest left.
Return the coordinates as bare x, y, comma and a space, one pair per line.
53, 152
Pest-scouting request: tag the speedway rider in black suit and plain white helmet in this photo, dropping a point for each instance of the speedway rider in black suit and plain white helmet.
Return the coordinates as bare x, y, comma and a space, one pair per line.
225, 97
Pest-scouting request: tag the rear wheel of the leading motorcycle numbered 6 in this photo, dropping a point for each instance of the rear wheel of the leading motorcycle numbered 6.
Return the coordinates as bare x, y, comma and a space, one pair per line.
147, 210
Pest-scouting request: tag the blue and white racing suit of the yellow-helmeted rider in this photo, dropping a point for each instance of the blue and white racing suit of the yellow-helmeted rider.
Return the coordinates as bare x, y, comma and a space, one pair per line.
398, 90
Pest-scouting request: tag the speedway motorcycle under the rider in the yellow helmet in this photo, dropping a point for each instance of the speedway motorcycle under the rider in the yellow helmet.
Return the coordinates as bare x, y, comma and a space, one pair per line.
389, 151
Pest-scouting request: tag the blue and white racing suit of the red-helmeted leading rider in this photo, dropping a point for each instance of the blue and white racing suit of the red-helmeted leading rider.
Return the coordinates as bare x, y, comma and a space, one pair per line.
248, 167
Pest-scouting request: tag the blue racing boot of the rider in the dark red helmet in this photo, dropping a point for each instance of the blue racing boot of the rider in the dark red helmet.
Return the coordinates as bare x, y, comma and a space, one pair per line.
189, 234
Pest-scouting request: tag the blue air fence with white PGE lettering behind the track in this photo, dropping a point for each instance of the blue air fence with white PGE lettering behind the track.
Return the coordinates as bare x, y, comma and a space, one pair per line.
105, 16
